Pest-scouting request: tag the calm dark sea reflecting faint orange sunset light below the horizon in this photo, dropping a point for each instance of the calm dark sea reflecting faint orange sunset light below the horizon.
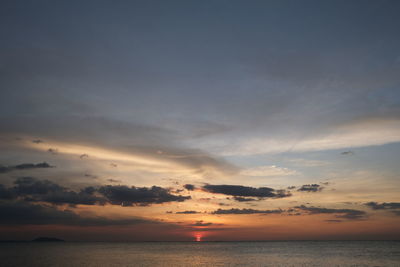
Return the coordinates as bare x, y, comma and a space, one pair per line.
172, 254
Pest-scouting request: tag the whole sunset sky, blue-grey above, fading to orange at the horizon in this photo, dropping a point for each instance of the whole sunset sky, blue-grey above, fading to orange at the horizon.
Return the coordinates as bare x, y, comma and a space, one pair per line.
200, 120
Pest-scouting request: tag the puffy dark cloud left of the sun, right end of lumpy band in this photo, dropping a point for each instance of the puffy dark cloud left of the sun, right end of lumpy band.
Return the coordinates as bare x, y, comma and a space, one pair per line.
129, 196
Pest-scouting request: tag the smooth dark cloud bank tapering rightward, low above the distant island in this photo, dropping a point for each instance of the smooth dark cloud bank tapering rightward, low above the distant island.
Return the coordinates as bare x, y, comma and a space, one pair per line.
22, 213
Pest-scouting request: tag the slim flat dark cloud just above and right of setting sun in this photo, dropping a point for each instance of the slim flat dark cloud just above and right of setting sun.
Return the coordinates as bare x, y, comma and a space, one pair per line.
246, 191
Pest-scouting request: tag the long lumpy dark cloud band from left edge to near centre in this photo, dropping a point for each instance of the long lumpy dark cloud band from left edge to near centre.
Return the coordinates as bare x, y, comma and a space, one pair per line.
34, 190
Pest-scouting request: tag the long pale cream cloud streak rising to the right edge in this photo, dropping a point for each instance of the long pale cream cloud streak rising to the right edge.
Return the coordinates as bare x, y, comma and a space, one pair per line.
367, 131
